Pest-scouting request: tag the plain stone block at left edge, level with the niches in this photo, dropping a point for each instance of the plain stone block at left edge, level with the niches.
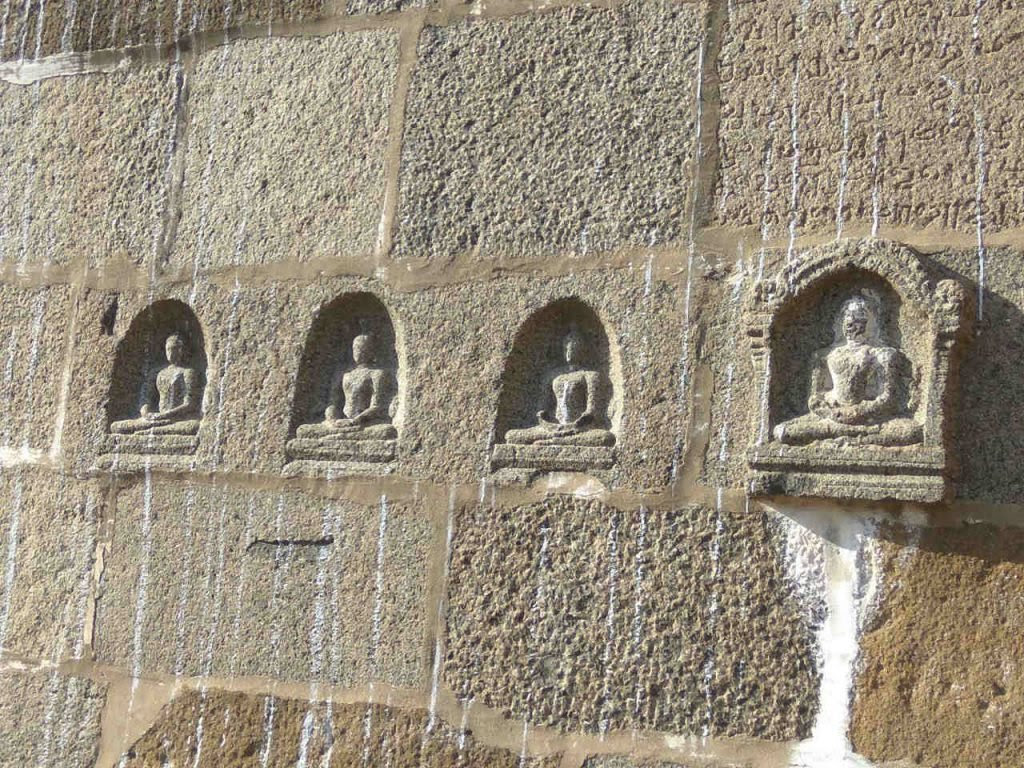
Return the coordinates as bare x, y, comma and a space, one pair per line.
34, 329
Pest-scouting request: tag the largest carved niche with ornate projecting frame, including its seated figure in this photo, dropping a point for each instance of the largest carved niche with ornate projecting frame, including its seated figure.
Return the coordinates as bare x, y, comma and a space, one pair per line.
856, 352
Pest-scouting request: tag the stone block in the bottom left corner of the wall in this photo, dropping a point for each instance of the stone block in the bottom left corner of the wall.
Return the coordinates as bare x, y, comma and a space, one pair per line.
49, 720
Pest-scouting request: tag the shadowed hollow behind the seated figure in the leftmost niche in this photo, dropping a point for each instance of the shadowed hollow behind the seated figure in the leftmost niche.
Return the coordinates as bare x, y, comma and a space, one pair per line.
141, 355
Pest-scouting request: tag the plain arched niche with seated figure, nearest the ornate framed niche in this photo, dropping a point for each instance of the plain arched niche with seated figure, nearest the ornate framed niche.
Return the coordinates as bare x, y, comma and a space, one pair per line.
559, 409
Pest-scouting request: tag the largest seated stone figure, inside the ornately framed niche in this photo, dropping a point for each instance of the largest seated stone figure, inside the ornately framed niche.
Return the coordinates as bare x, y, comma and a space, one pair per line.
860, 389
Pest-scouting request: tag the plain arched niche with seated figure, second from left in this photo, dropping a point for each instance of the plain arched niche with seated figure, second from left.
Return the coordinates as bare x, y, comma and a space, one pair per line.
347, 416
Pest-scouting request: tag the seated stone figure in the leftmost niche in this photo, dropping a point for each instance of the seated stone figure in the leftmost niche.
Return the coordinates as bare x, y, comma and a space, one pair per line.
173, 398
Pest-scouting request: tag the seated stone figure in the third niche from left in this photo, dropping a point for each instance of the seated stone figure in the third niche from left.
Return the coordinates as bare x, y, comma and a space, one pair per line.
578, 418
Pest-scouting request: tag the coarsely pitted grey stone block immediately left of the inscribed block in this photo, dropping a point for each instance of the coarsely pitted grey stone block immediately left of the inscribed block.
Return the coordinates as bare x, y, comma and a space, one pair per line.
559, 134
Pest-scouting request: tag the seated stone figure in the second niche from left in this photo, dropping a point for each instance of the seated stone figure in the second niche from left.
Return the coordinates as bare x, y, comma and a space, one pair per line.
360, 403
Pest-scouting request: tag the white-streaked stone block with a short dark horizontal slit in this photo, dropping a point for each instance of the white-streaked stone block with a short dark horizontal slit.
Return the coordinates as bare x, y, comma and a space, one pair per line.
261, 584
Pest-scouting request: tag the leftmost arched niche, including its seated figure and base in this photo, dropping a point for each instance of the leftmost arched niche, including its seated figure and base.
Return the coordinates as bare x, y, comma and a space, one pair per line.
155, 405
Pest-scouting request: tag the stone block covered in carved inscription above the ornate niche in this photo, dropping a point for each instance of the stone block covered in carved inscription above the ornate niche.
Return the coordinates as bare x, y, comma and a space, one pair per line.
889, 110
